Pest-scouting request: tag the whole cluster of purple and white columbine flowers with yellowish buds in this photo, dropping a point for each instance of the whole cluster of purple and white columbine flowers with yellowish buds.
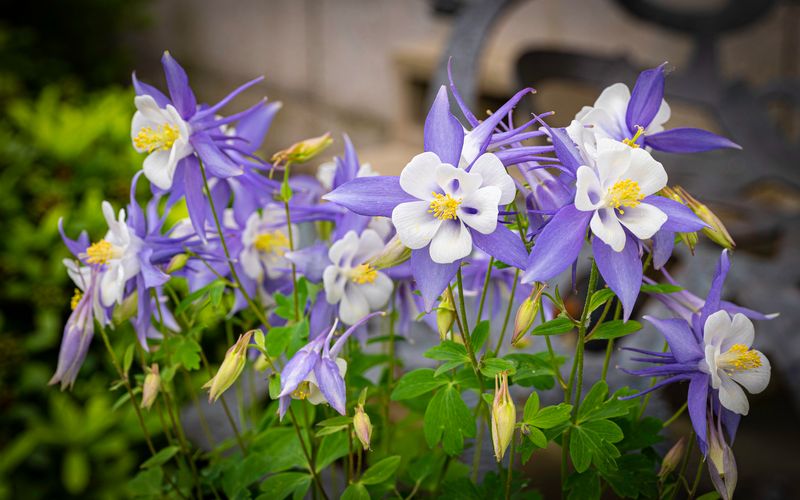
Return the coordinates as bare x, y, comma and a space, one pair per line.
487, 208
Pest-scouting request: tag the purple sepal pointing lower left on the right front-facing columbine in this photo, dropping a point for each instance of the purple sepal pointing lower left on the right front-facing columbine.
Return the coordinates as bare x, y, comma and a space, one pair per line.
558, 245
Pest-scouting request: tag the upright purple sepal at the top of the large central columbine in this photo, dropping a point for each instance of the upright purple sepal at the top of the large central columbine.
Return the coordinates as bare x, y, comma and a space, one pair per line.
443, 134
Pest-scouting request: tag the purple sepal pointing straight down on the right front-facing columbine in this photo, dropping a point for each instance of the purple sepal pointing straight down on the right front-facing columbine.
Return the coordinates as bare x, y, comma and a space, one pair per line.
622, 271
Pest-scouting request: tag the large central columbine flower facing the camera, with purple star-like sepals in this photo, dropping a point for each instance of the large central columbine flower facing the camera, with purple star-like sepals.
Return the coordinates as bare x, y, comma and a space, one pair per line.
446, 200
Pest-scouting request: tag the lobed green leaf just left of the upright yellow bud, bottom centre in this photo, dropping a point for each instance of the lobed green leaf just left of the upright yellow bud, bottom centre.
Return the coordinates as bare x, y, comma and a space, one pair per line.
449, 420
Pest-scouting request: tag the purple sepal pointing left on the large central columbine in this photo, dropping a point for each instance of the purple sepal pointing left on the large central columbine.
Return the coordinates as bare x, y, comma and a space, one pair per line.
370, 195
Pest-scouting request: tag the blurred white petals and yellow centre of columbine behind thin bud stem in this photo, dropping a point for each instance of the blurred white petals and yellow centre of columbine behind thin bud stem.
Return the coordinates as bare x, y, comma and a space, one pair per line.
265, 241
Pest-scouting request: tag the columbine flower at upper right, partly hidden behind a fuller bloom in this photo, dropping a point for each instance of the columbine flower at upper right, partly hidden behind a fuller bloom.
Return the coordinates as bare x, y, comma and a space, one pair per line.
638, 118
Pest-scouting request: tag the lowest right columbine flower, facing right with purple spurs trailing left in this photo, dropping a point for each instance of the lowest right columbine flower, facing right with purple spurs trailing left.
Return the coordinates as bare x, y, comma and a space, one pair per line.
713, 351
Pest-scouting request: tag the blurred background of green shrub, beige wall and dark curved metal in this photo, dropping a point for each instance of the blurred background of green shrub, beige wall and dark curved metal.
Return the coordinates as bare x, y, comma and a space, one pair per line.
368, 67
